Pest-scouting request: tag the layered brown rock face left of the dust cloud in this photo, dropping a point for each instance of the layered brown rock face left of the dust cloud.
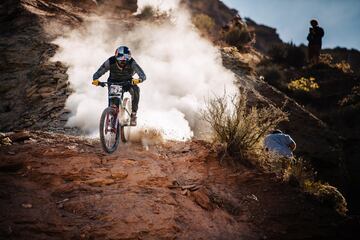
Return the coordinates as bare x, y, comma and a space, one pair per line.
34, 88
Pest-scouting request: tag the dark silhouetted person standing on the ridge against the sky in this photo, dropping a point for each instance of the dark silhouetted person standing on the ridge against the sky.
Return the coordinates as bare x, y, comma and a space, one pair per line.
314, 37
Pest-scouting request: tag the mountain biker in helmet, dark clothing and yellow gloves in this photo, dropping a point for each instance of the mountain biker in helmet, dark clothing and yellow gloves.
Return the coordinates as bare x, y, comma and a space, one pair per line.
122, 68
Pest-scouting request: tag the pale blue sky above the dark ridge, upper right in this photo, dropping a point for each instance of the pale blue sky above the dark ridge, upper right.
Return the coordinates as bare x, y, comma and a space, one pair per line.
339, 18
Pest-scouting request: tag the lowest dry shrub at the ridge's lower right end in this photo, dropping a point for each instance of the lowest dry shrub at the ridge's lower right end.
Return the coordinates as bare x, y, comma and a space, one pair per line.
327, 194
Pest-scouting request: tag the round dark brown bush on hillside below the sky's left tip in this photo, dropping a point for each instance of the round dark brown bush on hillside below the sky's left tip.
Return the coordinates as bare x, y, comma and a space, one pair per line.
238, 37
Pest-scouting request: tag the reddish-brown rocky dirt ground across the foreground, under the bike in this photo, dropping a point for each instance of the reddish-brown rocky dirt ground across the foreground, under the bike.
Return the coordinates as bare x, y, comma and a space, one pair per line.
61, 187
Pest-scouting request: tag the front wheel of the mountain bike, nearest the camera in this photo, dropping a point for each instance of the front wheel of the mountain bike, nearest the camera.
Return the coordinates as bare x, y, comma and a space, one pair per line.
109, 130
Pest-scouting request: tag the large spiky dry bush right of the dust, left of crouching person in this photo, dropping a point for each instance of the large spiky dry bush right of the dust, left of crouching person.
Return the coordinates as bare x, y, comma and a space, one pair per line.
240, 129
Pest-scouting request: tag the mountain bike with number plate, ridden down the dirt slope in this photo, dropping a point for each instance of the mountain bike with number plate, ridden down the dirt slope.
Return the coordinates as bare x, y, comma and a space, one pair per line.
115, 120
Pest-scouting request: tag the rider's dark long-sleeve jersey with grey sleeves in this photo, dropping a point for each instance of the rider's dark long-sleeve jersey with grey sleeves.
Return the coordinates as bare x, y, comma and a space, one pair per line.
118, 74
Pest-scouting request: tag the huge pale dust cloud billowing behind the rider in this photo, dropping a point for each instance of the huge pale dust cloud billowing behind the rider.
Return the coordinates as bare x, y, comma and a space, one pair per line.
182, 69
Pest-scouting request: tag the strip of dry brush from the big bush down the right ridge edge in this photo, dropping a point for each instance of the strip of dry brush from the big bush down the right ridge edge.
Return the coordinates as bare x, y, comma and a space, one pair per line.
240, 130
